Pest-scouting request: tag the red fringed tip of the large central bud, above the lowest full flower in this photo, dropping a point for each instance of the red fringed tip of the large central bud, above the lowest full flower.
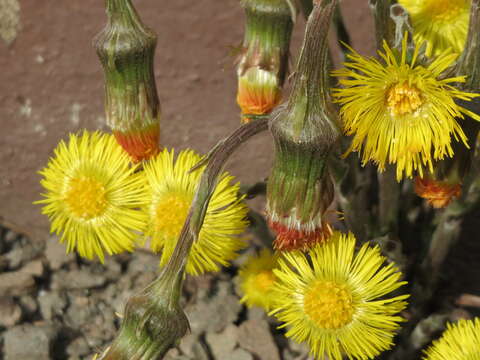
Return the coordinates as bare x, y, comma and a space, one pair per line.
289, 239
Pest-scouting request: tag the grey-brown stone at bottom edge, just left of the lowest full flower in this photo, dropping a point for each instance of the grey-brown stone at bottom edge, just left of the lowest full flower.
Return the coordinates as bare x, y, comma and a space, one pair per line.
255, 336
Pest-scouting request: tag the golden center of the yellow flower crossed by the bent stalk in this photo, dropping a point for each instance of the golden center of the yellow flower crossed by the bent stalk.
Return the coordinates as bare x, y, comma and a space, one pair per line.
170, 214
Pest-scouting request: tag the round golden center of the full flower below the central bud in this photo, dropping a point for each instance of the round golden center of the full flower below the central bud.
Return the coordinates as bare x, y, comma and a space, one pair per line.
329, 304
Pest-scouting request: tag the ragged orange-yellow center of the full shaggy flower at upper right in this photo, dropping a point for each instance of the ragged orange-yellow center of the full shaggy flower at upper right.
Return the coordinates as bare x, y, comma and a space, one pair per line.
403, 99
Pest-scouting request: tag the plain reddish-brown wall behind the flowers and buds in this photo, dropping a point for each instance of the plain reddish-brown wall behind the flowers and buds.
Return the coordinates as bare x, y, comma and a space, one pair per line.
51, 83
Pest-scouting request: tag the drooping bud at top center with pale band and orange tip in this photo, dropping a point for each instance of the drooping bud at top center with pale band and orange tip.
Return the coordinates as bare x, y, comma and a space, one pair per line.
263, 64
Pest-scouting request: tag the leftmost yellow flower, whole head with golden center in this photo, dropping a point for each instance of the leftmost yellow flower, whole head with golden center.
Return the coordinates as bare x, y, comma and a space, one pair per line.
92, 195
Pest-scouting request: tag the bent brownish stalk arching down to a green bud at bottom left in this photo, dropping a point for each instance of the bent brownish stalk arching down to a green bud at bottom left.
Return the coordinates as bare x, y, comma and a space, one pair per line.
154, 320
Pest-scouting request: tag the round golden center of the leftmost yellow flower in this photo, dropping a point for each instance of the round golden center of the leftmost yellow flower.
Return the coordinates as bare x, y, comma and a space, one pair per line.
86, 197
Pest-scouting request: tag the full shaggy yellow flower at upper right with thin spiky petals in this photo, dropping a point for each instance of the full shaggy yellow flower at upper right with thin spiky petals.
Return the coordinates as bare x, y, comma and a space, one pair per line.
399, 111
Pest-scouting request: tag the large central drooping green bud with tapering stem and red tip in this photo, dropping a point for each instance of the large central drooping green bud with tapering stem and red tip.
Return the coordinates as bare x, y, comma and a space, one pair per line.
305, 130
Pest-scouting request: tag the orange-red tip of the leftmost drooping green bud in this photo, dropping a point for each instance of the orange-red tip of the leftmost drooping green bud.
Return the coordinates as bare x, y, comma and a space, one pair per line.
140, 145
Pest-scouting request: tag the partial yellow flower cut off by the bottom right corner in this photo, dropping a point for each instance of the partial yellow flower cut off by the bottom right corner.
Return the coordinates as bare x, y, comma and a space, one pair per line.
460, 341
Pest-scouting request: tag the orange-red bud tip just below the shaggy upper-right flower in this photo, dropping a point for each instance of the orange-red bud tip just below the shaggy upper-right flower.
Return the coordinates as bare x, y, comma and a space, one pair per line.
437, 193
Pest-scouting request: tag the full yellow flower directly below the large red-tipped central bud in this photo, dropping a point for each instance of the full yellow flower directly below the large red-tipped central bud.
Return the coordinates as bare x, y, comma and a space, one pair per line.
337, 300
